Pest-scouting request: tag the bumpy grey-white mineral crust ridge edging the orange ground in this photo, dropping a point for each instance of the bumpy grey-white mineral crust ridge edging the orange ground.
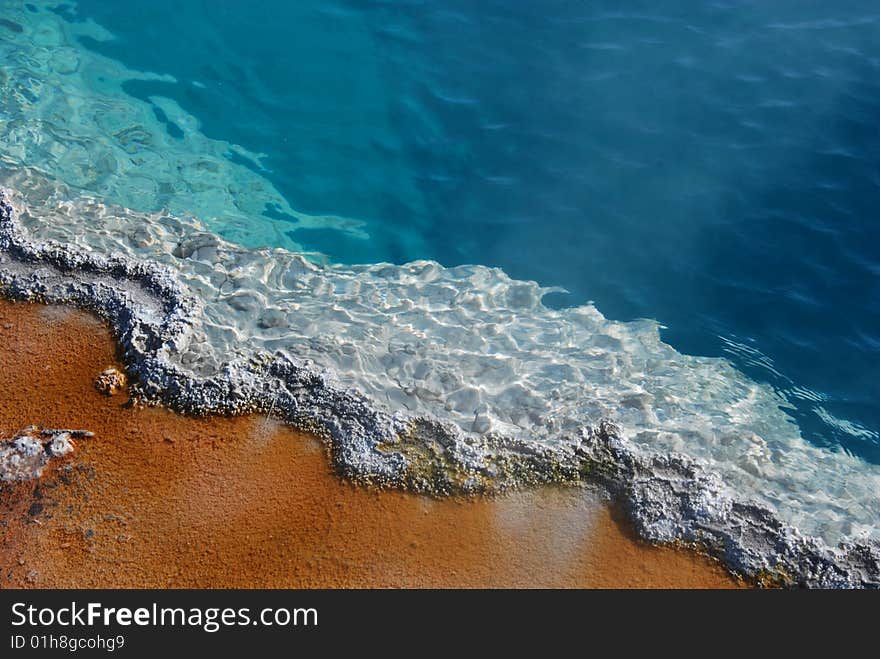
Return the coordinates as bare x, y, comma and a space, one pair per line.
673, 499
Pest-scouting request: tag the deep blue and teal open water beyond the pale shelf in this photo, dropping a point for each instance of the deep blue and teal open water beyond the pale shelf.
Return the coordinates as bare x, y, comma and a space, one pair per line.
712, 165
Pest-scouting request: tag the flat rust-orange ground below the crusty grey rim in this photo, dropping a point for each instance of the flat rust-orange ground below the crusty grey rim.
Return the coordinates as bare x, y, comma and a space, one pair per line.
159, 500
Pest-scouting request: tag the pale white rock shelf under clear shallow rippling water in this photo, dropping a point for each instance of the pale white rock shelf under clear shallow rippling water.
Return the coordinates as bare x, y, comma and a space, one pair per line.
472, 347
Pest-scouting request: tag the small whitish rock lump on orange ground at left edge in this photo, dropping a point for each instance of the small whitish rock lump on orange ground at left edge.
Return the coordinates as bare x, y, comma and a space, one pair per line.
25, 456
